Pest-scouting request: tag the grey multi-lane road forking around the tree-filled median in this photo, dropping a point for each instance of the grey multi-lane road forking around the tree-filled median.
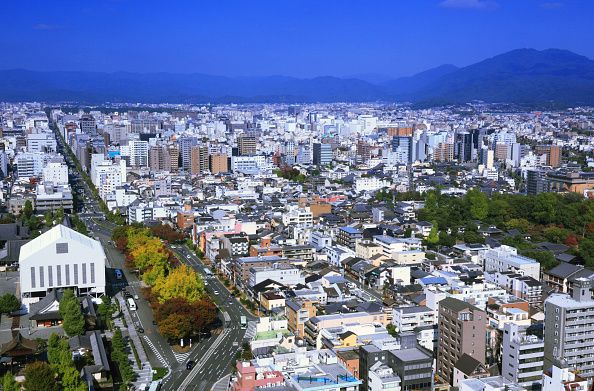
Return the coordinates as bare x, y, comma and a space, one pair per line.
215, 355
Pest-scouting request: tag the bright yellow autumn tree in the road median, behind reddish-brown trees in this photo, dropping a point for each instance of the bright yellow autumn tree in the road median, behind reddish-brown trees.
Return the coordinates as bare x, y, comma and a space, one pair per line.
182, 282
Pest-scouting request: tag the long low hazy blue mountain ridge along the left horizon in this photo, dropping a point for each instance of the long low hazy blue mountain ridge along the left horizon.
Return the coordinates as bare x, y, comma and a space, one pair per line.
96, 87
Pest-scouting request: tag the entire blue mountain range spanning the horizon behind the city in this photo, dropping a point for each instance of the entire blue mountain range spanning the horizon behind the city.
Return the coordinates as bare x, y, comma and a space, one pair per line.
522, 76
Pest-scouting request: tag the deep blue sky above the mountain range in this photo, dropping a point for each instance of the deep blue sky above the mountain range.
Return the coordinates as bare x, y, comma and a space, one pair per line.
301, 38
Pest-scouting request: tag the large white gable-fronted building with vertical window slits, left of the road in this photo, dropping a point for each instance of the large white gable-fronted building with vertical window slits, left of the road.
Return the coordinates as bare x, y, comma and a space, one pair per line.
61, 258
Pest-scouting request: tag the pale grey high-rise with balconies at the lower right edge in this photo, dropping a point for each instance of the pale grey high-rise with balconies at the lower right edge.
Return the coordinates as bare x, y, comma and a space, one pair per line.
569, 327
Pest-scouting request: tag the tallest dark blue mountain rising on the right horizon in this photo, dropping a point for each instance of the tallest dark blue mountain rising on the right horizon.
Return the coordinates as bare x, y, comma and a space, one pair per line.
520, 76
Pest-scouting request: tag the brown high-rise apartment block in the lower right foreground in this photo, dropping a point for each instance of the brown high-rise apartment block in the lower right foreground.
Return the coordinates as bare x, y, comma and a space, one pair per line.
461, 330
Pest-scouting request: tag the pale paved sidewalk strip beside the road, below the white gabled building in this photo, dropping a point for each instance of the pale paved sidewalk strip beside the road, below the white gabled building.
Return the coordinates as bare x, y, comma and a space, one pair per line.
145, 372
